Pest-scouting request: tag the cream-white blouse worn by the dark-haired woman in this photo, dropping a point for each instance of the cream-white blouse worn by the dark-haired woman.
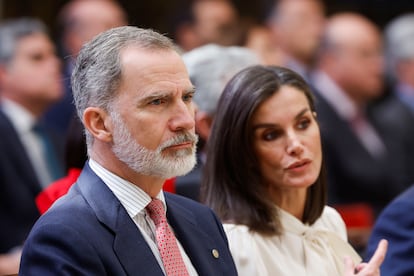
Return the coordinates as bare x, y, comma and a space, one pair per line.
300, 250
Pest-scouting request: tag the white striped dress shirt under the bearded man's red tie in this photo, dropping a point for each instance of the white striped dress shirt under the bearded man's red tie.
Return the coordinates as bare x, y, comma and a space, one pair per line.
134, 200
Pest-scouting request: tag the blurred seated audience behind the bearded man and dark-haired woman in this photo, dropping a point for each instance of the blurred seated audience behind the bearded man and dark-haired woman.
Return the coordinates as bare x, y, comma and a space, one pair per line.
362, 79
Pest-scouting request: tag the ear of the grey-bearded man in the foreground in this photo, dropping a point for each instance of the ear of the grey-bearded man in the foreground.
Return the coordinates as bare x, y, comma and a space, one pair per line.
99, 123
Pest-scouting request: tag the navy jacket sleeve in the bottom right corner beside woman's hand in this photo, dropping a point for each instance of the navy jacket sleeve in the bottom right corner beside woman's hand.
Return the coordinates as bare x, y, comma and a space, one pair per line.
396, 224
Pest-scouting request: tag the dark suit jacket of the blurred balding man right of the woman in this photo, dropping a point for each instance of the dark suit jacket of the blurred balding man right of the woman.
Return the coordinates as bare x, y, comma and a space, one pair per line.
353, 174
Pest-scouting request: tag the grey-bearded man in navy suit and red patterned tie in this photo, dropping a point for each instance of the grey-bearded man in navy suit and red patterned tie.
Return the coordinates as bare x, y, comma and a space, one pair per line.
134, 96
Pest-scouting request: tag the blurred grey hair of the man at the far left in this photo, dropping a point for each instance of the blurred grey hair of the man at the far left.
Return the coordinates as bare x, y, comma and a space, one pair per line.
12, 31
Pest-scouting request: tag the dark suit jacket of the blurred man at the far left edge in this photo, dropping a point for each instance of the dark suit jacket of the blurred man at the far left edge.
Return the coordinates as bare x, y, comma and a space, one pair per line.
18, 188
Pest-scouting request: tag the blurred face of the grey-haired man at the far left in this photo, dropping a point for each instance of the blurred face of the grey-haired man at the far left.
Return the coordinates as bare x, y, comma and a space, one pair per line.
33, 76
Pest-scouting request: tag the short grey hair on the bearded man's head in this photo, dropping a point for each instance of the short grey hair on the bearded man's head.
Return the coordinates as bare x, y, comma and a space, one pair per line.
97, 73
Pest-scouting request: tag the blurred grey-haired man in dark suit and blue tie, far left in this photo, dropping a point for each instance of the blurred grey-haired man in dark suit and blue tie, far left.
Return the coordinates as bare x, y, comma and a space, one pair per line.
30, 82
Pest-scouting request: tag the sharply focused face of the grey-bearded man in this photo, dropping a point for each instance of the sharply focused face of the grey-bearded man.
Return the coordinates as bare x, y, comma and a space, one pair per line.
153, 116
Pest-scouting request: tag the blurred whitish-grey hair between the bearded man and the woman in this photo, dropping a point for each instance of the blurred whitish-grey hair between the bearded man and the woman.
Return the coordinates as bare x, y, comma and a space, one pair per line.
210, 68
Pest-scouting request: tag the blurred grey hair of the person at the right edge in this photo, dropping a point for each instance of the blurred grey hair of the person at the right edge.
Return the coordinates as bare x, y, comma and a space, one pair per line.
399, 40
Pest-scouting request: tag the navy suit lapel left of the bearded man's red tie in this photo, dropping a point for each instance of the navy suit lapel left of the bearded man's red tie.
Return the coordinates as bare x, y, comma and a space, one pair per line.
129, 245
